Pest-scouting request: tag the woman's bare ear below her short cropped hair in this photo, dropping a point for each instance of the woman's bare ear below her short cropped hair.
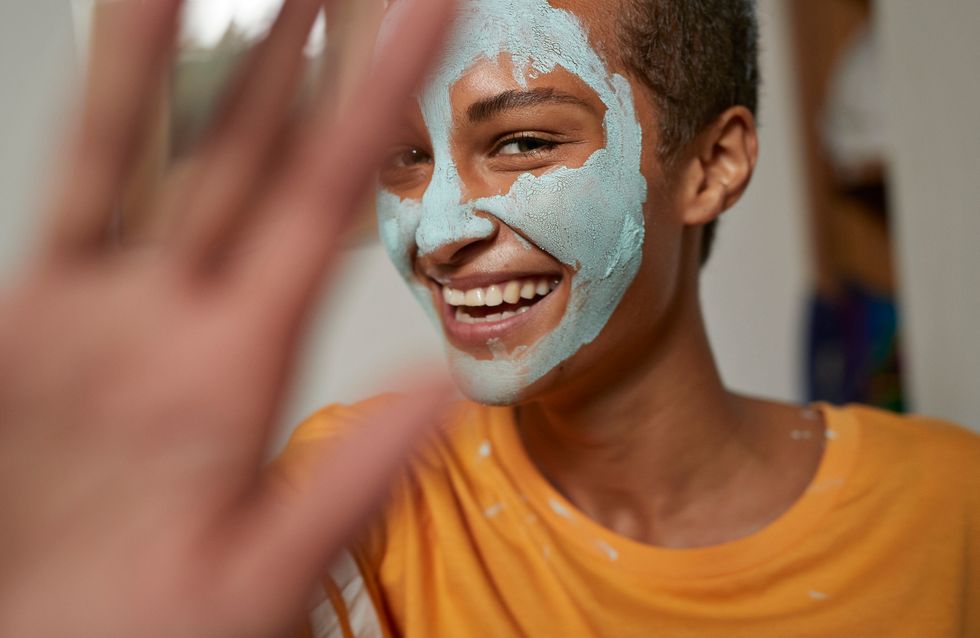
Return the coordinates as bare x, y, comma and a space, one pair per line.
719, 167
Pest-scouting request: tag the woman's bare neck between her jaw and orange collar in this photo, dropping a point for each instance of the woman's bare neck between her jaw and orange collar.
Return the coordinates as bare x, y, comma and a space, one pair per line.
662, 447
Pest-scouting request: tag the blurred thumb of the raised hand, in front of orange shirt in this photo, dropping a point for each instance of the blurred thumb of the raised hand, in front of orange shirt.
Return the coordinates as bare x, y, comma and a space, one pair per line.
296, 529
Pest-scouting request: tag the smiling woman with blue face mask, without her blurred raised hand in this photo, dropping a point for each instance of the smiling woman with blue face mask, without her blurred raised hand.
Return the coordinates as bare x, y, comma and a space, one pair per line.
547, 202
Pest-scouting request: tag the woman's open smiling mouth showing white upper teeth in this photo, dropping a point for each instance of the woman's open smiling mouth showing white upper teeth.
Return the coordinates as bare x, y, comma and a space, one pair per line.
474, 314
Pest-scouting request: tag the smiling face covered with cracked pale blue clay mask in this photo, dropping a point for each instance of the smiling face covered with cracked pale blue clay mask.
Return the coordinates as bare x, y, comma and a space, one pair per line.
515, 205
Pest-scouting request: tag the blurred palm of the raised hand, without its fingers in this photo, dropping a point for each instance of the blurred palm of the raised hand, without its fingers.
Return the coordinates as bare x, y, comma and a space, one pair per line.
175, 393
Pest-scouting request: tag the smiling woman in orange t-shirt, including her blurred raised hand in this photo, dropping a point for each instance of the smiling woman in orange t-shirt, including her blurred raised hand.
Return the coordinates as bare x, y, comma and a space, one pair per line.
624, 492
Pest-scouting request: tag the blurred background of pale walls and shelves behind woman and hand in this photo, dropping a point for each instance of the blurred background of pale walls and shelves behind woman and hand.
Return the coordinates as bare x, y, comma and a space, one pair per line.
849, 272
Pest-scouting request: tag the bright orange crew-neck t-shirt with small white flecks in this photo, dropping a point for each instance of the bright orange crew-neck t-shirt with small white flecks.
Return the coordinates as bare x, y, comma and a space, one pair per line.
885, 542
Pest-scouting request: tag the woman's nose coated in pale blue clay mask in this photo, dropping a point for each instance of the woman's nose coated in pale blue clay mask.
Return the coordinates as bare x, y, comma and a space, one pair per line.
450, 228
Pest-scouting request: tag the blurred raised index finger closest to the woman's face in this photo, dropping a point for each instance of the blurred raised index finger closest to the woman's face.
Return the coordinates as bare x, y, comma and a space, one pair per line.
317, 200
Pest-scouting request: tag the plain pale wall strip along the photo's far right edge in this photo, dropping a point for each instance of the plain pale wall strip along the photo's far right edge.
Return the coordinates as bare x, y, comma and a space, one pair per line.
930, 55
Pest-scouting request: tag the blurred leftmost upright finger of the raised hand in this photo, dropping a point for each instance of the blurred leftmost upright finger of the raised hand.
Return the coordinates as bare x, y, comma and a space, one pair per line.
127, 65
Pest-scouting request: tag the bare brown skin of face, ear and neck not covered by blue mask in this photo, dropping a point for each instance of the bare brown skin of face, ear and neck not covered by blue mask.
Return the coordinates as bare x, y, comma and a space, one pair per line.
636, 428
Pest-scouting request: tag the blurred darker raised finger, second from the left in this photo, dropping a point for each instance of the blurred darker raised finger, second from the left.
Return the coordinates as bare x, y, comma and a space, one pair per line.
236, 152
